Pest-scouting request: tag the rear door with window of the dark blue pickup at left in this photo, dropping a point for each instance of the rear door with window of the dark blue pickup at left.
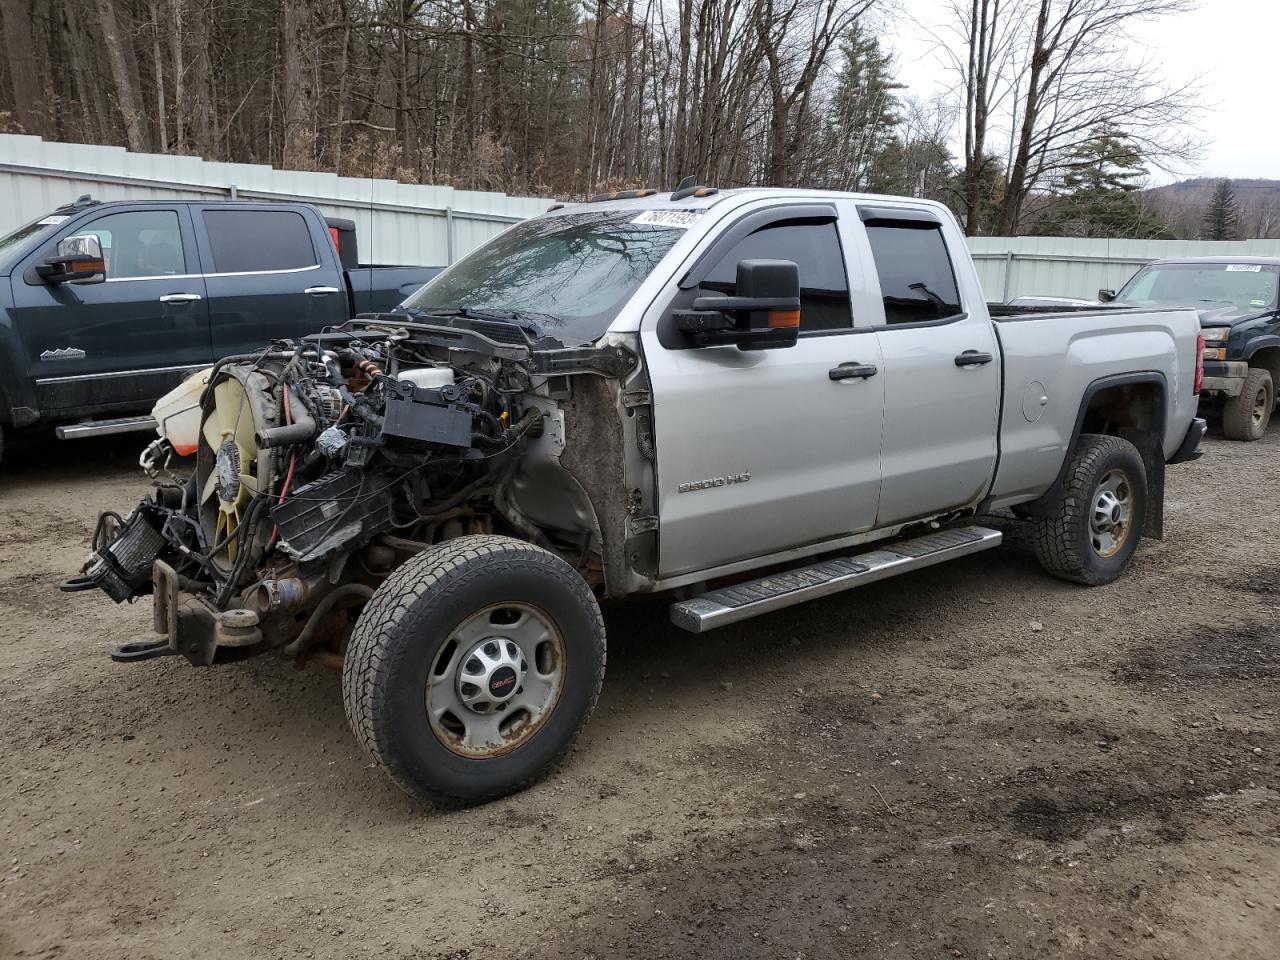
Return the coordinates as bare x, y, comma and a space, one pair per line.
269, 276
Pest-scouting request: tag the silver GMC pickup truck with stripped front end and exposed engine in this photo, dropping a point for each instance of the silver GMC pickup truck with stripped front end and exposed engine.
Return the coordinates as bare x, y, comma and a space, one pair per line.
739, 400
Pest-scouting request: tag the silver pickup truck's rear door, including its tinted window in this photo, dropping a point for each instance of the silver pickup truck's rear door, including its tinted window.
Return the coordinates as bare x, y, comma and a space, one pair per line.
941, 371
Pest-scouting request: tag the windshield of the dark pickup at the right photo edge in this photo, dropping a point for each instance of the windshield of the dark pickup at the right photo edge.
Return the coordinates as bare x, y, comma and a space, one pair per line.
1244, 286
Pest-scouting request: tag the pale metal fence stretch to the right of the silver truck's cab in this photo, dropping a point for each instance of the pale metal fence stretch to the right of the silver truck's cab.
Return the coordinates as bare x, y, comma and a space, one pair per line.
1073, 267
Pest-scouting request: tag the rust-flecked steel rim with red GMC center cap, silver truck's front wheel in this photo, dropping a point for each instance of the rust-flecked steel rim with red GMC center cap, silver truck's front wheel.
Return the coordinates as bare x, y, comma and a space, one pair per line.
496, 680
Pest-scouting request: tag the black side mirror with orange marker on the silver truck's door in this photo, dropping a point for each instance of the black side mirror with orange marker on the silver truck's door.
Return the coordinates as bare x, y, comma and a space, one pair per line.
765, 313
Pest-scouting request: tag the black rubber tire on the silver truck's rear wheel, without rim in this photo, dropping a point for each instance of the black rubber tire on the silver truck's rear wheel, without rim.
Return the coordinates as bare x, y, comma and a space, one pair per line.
1066, 543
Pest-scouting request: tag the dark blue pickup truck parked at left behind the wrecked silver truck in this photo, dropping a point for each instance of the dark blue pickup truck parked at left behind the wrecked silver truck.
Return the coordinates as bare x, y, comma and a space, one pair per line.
104, 308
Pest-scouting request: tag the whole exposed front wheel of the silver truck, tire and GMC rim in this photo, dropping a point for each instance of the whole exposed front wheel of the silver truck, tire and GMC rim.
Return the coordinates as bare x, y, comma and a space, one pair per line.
474, 669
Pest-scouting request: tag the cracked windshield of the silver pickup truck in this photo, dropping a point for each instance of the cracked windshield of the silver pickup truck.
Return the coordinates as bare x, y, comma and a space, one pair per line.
570, 273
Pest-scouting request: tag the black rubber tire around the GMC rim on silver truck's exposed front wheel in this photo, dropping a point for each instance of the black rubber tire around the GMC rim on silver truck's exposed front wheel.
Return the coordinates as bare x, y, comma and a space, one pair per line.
406, 627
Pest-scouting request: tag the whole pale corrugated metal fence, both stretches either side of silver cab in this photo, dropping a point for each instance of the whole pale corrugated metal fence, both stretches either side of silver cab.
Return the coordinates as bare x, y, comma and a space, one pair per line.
399, 223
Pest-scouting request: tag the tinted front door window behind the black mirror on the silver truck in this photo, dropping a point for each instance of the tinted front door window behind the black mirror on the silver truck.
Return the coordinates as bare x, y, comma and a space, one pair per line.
816, 249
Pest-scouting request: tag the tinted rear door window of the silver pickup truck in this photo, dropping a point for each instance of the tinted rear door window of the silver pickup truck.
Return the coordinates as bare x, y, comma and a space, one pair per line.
916, 275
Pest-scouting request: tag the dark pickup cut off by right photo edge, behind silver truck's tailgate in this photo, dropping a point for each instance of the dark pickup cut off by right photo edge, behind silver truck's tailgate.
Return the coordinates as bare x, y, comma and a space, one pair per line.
1238, 300
